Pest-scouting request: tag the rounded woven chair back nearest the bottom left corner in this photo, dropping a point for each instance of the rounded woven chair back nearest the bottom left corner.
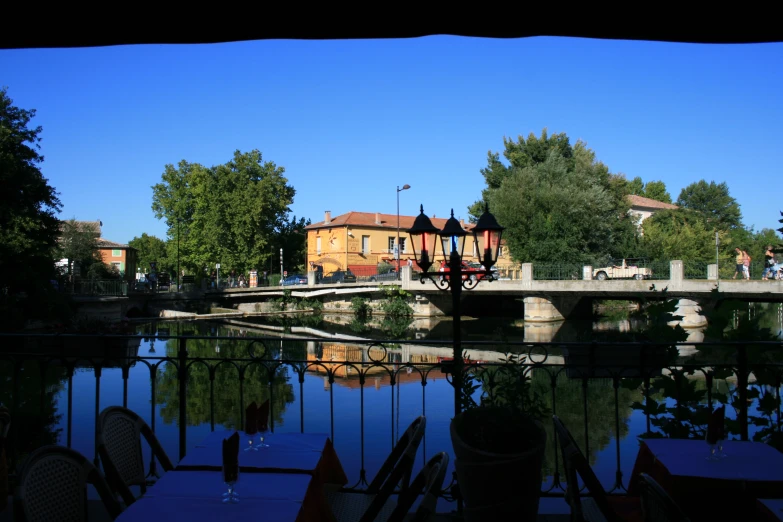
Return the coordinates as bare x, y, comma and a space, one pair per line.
53, 487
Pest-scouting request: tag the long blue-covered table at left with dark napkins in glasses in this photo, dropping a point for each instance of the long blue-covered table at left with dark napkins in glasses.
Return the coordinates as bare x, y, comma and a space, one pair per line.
284, 482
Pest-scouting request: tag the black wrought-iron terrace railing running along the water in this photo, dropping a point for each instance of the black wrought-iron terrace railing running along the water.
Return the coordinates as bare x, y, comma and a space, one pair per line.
364, 394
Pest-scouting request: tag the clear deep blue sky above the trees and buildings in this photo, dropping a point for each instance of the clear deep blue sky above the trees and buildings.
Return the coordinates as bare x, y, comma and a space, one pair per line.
351, 120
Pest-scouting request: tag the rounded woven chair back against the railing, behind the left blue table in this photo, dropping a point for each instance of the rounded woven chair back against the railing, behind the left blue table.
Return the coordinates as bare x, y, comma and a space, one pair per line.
119, 446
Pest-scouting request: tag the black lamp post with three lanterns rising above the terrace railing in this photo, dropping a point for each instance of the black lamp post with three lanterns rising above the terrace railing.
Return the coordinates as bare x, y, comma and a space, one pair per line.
486, 235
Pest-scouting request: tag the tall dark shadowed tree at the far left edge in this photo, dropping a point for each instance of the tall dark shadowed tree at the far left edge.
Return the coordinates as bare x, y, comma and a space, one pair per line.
28, 223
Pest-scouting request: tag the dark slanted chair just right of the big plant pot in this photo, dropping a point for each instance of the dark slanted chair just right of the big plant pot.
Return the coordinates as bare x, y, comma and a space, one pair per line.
576, 465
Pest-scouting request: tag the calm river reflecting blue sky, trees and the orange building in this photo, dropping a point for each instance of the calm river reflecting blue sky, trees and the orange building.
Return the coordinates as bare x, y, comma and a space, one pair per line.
363, 420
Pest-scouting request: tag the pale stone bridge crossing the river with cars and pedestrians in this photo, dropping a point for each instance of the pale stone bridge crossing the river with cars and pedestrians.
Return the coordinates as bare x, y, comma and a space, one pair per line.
534, 300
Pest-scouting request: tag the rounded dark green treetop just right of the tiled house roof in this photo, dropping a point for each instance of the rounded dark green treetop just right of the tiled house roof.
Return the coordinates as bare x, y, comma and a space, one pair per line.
713, 201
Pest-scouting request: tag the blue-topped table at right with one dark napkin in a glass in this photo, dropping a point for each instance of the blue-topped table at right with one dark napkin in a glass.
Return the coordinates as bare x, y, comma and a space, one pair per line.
707, 489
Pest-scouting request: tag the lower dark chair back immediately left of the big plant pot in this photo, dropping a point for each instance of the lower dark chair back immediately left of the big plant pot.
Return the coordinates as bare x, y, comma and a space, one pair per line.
428, 483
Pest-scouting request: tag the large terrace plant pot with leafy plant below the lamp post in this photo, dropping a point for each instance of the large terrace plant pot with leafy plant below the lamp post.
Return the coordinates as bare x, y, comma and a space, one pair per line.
499, 444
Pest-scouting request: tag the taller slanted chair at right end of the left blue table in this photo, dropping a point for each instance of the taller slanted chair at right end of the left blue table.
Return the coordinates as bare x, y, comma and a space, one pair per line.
357, 505
